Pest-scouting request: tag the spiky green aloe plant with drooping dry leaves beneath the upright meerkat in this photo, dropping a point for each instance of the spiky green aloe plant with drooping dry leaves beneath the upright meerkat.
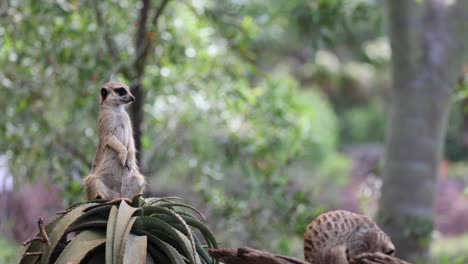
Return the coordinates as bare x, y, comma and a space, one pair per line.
151, 230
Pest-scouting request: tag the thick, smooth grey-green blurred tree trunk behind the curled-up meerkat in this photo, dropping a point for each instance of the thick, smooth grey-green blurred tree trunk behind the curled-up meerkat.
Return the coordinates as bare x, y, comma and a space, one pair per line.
426, 61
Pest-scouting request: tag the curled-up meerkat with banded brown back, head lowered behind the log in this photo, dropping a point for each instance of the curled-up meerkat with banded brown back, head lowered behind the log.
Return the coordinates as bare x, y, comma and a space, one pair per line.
340, 236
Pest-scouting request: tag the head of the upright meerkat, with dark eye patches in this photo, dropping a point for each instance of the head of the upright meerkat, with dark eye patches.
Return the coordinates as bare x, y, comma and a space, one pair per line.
116, 94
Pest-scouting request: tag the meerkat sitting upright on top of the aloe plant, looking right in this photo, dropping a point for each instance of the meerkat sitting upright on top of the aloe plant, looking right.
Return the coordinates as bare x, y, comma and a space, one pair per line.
114, 173
